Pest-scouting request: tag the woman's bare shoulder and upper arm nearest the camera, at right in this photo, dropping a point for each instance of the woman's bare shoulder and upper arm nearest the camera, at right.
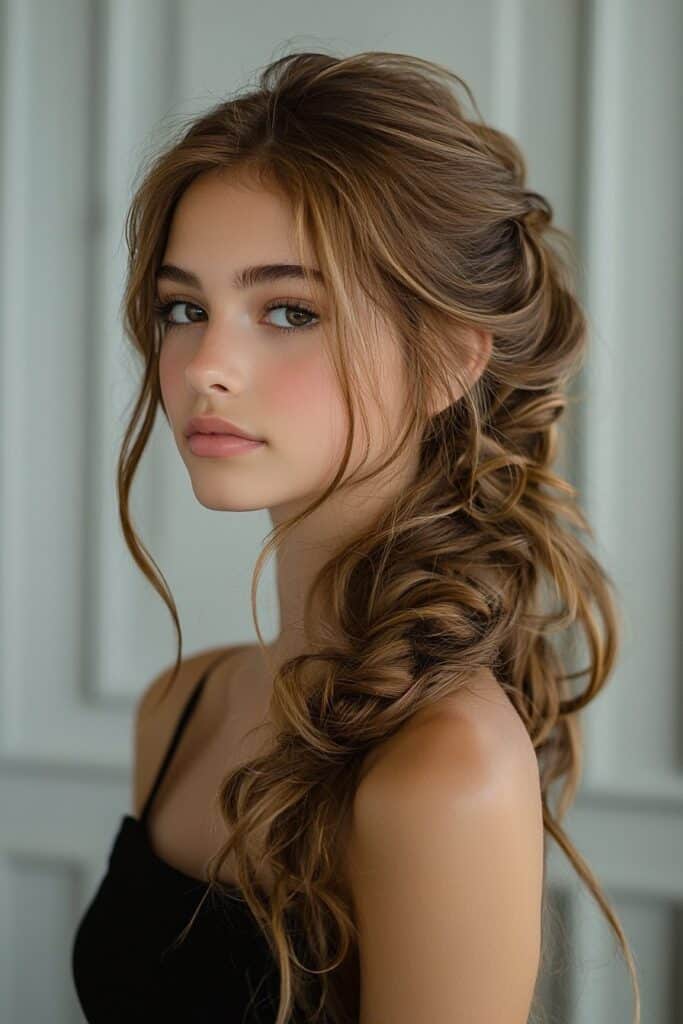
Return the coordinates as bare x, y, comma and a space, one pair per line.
446, 867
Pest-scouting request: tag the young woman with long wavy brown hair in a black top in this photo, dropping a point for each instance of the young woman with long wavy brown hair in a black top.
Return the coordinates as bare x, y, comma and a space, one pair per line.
348, 306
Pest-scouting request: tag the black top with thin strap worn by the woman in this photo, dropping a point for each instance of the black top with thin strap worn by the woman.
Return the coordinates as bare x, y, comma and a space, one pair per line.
122, 964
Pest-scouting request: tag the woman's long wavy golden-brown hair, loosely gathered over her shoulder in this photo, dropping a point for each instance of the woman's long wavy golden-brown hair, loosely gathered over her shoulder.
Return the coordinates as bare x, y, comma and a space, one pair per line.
480, 563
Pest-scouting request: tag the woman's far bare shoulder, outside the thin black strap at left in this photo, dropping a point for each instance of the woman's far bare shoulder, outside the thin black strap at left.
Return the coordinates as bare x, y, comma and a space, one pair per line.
156, 714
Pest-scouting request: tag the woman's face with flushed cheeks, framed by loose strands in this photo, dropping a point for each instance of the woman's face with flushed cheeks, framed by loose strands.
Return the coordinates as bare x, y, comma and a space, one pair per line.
227, 354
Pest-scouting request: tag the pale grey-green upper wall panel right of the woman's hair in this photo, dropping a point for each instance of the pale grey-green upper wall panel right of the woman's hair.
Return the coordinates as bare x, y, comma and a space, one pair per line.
633, 428
